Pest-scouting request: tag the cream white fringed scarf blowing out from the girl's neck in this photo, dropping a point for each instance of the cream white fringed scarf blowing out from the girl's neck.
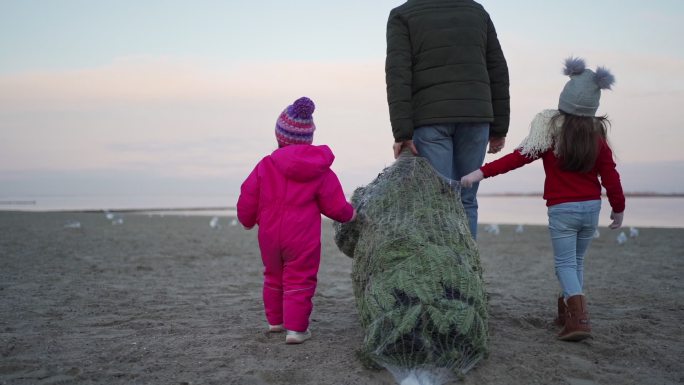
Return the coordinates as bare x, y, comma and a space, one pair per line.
542, 134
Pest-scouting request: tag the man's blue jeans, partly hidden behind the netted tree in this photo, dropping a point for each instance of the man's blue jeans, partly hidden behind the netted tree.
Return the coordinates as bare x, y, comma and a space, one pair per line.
455, 150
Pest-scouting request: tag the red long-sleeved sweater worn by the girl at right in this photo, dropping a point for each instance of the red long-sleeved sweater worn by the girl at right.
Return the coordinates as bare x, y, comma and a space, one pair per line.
564, 186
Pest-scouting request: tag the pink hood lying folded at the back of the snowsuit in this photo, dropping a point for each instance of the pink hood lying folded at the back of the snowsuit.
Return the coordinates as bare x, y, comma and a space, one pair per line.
303, 162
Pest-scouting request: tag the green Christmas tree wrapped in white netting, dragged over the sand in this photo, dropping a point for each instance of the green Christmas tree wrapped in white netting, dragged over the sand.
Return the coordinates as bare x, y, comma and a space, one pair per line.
416, 274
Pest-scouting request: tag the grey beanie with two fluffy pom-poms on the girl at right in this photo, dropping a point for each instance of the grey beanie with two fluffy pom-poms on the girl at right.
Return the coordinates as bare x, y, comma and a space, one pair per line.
582, 92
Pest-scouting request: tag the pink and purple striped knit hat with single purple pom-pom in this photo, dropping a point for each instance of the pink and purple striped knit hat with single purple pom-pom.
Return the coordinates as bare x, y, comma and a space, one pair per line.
295, 124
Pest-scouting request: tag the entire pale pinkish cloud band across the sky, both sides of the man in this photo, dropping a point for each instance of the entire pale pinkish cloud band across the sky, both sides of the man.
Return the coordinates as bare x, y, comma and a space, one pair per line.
186, 118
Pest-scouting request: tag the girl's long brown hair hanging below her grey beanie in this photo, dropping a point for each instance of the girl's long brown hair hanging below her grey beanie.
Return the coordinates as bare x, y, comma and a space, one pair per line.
578, 141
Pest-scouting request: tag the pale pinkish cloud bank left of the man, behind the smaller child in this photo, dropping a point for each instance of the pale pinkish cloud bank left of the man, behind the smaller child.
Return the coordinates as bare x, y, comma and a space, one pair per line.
184, 117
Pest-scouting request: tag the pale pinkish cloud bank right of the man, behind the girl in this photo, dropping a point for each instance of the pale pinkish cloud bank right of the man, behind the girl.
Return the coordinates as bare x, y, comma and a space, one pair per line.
643, 106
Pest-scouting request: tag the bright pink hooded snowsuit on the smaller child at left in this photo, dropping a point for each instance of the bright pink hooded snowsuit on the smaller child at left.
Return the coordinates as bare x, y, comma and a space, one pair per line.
286, 194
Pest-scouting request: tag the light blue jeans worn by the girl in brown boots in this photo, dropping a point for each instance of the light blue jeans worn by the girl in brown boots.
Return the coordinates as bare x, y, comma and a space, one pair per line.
572, 226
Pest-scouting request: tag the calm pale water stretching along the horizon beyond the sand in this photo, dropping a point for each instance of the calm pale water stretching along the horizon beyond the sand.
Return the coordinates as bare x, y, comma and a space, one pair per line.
644, 212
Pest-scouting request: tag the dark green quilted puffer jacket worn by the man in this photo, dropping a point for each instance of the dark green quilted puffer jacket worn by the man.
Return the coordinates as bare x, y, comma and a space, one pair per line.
444, 65
